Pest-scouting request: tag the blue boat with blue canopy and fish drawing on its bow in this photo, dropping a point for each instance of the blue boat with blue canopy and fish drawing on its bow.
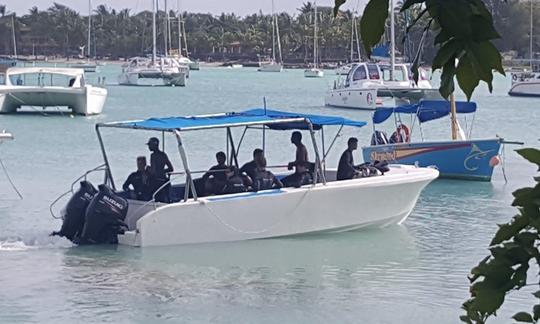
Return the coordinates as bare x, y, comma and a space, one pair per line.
460, 158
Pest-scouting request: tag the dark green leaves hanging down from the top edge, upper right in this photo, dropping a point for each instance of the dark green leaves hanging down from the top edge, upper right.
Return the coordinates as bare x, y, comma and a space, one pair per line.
465, 34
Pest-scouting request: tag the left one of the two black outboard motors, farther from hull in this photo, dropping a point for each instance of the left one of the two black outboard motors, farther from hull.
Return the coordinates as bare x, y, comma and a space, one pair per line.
74, 212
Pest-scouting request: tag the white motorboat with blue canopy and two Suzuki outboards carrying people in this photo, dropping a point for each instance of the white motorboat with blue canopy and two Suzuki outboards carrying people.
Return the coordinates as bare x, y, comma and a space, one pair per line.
323, 205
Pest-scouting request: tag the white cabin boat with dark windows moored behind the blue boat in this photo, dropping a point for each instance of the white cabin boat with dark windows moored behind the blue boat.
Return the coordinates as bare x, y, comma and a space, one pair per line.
368, 86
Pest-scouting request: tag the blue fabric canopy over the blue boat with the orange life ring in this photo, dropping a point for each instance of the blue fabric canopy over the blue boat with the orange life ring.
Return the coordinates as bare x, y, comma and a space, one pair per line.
425, 110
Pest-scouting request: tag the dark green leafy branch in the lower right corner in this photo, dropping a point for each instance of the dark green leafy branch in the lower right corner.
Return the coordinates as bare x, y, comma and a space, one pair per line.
514, 246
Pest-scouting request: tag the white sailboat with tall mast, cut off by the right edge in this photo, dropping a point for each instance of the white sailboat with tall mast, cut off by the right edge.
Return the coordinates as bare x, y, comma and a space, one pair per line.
527, 84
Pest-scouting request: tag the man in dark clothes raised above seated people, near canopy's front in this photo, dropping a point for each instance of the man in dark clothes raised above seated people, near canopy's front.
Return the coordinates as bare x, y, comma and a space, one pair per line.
301, 175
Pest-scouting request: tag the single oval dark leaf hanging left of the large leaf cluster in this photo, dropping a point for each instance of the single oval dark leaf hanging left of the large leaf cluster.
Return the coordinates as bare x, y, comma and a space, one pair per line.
372, 23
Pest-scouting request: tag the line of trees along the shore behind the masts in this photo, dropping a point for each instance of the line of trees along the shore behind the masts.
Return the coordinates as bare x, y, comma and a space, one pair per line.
61, 31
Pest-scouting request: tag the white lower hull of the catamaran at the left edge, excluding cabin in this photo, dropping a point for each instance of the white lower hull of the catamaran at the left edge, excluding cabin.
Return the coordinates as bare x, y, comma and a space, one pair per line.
87, 100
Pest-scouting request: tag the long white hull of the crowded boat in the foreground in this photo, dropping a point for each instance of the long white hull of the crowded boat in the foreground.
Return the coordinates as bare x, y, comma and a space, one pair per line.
335, 207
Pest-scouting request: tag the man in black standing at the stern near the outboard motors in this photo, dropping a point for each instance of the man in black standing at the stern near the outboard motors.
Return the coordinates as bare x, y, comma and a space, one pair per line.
160, 166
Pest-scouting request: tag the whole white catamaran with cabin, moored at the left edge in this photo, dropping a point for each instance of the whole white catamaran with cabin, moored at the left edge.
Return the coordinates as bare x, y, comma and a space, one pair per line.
50, 87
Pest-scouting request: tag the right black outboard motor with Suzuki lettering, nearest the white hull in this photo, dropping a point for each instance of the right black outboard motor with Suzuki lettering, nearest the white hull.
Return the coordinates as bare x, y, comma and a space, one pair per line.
104, 218
